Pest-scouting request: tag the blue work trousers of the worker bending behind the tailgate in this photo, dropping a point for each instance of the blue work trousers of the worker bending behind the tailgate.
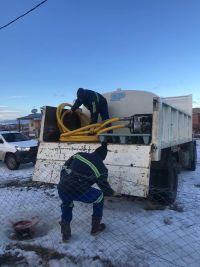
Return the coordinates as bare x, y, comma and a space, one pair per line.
93, 195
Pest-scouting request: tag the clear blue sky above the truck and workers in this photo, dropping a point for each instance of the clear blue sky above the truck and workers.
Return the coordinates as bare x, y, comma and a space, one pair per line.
102, 45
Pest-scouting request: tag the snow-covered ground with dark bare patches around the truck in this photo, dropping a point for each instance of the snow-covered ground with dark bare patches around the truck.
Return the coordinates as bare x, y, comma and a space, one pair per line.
135, 234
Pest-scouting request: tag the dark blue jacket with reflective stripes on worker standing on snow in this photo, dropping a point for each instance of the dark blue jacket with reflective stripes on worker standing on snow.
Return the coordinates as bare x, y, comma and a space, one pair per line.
86, 170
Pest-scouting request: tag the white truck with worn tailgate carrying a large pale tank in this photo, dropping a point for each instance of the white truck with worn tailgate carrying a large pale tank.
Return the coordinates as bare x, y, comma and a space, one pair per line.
145, 156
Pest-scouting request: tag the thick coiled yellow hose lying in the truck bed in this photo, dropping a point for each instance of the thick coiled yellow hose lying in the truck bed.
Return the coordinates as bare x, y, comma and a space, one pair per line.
87, 132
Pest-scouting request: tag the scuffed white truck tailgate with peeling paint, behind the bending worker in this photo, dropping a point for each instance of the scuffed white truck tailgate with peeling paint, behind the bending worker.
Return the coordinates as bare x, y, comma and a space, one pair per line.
128, 165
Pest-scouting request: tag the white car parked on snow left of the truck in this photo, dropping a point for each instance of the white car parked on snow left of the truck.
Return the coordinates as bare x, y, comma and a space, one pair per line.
17, 148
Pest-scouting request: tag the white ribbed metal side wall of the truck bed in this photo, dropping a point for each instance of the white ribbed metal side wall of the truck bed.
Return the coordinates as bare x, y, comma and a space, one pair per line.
171, 127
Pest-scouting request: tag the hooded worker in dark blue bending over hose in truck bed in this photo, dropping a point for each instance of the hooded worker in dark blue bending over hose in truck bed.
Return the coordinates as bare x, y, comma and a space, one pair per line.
94, 102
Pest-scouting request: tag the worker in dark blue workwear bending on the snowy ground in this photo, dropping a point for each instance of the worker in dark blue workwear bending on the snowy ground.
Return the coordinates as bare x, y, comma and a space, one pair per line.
78, 174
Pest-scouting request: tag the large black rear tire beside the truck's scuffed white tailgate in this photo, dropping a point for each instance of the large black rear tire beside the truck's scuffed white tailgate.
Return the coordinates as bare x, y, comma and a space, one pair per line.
164, 182
